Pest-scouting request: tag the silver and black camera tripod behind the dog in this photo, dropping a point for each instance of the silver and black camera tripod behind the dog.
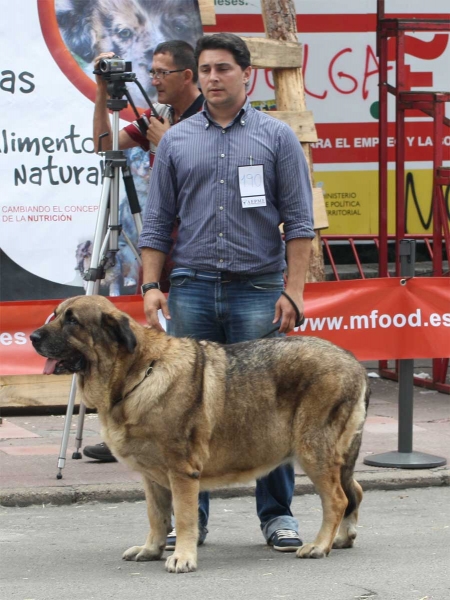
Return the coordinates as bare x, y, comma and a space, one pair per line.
107, 232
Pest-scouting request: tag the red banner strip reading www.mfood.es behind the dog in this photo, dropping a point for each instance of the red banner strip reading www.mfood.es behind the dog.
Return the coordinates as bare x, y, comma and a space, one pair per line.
375, 319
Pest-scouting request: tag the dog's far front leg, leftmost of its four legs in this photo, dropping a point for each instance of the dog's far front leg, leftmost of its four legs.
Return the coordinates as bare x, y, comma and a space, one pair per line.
159, 511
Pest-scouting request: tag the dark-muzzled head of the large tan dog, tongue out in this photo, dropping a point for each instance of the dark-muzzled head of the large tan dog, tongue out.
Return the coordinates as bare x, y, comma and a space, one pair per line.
85, 331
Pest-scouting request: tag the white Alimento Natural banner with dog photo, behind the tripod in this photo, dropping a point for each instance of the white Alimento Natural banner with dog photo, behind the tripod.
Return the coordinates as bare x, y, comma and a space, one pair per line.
50, 176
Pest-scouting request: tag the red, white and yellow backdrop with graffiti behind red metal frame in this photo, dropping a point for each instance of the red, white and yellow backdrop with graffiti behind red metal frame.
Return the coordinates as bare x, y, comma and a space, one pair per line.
340, 69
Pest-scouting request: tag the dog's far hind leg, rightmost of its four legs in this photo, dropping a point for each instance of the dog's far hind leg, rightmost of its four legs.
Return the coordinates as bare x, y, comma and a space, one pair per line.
347, 530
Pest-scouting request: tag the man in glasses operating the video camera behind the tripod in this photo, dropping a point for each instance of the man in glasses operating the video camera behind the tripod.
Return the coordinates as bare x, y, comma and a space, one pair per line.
174, 74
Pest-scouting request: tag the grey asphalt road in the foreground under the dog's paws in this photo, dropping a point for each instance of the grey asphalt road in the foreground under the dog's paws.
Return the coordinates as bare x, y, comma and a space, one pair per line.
74, 553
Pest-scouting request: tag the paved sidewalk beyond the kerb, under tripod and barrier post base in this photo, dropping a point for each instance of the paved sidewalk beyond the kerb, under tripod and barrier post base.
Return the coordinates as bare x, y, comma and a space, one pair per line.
29, 448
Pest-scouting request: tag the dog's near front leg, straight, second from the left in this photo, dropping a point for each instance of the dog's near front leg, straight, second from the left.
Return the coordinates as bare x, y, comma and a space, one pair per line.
185, 492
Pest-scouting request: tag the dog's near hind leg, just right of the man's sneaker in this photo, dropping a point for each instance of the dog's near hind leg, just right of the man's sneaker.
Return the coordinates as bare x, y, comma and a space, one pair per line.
326, 480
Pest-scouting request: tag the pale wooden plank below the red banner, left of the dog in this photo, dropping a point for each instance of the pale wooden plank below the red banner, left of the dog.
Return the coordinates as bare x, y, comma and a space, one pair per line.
34, 390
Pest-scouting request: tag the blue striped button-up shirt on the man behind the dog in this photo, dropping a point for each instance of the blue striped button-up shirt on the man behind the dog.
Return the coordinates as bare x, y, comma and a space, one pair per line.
195, 177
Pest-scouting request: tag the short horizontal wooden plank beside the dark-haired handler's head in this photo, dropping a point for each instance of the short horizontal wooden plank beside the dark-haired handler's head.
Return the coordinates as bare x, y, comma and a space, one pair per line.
271, 54
